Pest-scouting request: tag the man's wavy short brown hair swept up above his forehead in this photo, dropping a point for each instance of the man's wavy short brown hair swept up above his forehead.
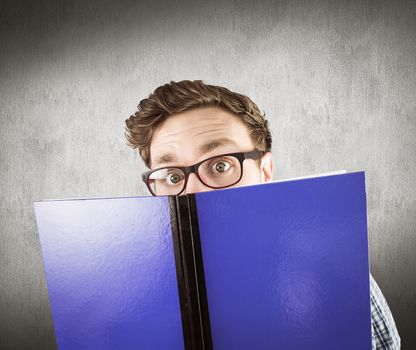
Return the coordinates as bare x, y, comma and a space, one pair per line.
180, 96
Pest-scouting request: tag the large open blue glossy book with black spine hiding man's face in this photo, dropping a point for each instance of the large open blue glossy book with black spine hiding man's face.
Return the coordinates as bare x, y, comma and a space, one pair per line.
281, 265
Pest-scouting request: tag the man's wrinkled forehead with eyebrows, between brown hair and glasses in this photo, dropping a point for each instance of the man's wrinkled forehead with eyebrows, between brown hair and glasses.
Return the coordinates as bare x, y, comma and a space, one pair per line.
187, 137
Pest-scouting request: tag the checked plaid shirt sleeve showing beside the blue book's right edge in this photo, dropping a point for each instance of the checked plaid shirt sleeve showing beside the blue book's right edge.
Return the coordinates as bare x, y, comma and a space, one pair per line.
383, 328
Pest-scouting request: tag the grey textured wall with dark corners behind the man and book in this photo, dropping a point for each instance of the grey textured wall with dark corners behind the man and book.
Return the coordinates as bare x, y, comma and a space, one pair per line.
336, 79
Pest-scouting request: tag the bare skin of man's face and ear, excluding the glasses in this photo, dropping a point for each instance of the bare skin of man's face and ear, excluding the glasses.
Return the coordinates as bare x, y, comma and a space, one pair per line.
192, 136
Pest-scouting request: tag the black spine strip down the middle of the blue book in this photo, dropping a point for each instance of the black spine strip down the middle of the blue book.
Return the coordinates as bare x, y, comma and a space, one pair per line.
190, 273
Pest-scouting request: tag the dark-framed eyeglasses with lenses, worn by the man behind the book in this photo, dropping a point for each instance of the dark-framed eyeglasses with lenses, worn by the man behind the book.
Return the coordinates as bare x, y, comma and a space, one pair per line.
216, 172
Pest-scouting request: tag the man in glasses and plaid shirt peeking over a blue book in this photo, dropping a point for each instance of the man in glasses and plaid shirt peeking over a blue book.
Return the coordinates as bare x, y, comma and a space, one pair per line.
188, 133
